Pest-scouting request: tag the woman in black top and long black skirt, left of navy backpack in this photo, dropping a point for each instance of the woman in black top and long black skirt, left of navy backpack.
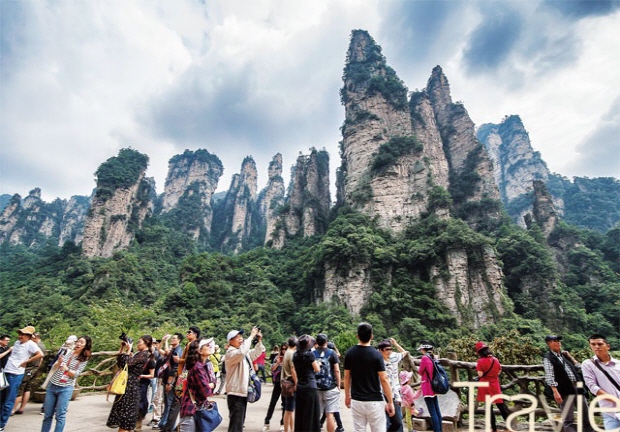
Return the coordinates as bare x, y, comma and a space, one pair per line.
307, 411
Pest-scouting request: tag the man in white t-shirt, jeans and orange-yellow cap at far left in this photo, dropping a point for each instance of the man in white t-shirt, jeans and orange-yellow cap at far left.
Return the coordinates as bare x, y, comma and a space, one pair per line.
24, 351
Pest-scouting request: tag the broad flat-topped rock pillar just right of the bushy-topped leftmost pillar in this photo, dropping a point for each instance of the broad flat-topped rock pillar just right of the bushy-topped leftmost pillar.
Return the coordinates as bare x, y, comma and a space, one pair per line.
192, 179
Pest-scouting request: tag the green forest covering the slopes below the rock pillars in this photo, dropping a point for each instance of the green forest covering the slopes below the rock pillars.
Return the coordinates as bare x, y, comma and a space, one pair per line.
163, 283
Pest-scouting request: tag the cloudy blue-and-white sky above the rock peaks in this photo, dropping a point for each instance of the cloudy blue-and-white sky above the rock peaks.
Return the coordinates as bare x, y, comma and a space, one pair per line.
81, 80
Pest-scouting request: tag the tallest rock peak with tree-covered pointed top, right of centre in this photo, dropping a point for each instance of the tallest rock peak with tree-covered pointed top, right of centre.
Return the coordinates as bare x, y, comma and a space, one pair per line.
378, 124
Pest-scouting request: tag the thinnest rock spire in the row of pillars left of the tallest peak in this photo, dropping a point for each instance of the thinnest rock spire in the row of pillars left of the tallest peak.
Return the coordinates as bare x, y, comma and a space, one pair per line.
272, 197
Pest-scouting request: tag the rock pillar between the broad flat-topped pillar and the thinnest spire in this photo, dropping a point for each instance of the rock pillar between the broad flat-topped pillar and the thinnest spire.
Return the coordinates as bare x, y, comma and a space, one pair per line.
239, 208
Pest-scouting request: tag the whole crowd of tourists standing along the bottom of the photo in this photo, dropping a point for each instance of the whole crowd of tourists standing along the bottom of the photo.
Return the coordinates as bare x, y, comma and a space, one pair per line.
172, 382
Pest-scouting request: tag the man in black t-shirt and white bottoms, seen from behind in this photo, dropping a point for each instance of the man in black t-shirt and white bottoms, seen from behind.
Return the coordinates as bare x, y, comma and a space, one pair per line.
364, 378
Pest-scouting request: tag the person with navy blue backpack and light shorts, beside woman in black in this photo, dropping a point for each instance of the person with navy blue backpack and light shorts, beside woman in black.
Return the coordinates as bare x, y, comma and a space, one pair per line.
327, 381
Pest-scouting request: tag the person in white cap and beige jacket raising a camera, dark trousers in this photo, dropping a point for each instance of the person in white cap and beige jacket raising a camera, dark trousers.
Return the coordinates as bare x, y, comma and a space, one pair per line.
238, 373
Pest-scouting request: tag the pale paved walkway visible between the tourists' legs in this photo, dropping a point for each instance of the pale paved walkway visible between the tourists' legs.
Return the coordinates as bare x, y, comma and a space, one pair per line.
89, 412
